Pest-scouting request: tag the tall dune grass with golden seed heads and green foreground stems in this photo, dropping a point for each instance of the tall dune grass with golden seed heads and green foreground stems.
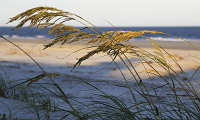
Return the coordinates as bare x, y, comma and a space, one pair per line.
181, 105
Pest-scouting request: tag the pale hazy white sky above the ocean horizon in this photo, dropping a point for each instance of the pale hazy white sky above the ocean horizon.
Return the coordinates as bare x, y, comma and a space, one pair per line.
118, 12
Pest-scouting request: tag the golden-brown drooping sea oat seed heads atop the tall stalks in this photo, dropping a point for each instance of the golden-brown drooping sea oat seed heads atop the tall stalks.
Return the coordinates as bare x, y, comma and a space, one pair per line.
110, 41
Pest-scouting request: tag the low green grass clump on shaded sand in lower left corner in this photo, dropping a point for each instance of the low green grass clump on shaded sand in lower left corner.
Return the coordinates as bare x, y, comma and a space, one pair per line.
40, 103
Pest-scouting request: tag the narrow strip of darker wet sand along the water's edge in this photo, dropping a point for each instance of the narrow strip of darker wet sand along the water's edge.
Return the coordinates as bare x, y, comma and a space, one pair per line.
143, 44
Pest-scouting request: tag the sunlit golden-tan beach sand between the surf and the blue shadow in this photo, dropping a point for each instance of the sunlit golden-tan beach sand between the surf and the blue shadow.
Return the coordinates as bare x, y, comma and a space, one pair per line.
186, 54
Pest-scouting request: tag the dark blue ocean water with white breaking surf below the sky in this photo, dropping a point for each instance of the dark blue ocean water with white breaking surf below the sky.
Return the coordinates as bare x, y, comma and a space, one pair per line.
188, 33
